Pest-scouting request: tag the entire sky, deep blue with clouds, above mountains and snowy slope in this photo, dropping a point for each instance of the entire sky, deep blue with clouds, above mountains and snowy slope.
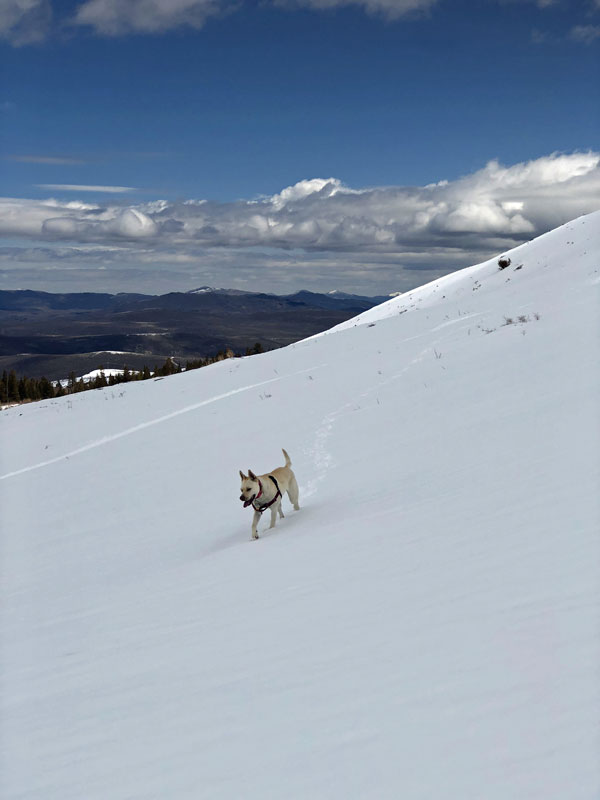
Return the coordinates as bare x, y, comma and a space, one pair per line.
165, 102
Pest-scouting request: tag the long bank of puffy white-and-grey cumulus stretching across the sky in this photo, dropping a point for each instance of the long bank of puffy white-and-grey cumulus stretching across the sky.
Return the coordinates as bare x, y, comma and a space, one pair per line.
323, 214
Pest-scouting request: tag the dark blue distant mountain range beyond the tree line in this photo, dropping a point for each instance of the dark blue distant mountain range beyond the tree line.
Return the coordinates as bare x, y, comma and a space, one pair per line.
54, 334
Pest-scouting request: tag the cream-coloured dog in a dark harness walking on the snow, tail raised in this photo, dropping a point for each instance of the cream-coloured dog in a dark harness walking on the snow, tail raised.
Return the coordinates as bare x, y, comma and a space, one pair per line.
266, 491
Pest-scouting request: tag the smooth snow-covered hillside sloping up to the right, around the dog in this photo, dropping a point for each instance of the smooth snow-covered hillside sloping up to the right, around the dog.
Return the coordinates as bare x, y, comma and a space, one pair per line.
426, 626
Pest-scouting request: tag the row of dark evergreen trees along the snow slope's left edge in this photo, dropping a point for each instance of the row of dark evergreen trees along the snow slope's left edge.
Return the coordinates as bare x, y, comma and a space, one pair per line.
15, 389
